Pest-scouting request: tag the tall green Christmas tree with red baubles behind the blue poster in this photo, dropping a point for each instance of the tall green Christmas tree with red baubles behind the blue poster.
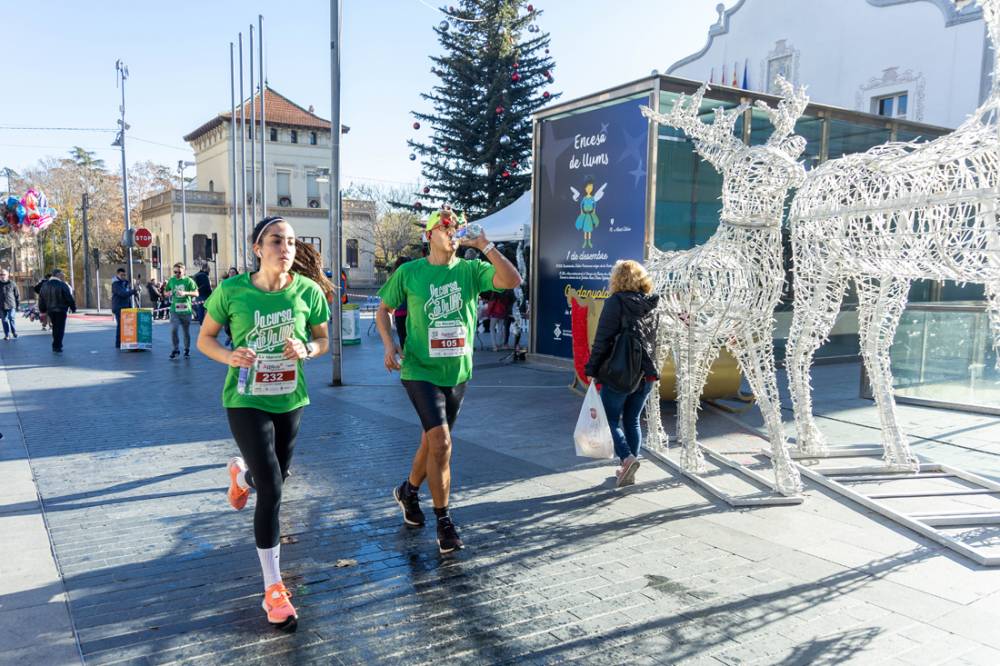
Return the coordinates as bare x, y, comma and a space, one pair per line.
492, 72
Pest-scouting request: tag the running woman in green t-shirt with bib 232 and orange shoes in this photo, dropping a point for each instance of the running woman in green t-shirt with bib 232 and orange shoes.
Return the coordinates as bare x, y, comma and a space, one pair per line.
278, 320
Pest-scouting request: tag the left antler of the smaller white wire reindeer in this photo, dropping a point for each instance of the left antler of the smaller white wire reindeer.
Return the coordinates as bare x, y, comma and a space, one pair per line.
714, 141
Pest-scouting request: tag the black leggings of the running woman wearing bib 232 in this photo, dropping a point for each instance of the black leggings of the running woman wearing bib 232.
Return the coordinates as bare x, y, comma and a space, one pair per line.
266, 441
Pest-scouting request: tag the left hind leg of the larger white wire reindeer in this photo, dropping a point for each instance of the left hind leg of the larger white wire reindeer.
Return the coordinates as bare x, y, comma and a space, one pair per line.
817, 303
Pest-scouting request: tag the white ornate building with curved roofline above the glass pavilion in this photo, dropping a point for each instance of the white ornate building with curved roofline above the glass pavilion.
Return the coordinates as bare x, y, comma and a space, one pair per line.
923, 60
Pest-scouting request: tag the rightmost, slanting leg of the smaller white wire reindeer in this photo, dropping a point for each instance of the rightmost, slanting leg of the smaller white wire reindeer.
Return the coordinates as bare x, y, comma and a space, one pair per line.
754, 351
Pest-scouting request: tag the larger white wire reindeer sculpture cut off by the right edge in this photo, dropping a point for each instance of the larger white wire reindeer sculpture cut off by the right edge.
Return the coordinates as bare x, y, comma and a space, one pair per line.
897, 213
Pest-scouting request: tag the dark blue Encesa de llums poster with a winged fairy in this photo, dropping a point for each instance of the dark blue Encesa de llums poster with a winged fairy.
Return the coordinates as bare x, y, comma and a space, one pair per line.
591, 210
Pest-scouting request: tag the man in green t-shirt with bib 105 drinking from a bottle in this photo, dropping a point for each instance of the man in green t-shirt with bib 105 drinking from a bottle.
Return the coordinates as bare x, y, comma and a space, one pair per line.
440, 292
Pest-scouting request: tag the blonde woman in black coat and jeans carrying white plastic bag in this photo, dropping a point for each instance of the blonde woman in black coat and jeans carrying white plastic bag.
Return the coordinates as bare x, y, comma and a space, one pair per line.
631, 309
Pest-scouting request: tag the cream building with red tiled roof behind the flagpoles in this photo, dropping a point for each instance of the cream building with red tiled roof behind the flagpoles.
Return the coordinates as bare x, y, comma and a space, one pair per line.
297, 160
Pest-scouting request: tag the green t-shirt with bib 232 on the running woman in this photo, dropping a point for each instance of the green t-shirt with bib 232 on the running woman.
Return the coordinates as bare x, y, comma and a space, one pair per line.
262, 320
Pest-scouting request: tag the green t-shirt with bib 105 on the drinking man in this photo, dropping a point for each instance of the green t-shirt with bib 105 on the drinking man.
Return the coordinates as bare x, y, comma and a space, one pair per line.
440, 316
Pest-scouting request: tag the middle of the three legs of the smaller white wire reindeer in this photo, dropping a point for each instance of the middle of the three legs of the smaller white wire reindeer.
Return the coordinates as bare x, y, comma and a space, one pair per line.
693, 360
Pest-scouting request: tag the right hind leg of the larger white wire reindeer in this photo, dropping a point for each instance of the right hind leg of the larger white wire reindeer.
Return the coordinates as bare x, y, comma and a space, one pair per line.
880, 305
